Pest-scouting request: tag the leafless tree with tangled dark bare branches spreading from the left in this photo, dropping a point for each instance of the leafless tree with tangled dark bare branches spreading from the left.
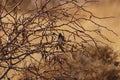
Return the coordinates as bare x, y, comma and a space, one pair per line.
33, 41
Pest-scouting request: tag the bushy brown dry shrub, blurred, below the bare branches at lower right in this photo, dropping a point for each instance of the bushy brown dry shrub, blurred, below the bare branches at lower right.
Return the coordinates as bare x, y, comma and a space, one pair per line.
78, 66
